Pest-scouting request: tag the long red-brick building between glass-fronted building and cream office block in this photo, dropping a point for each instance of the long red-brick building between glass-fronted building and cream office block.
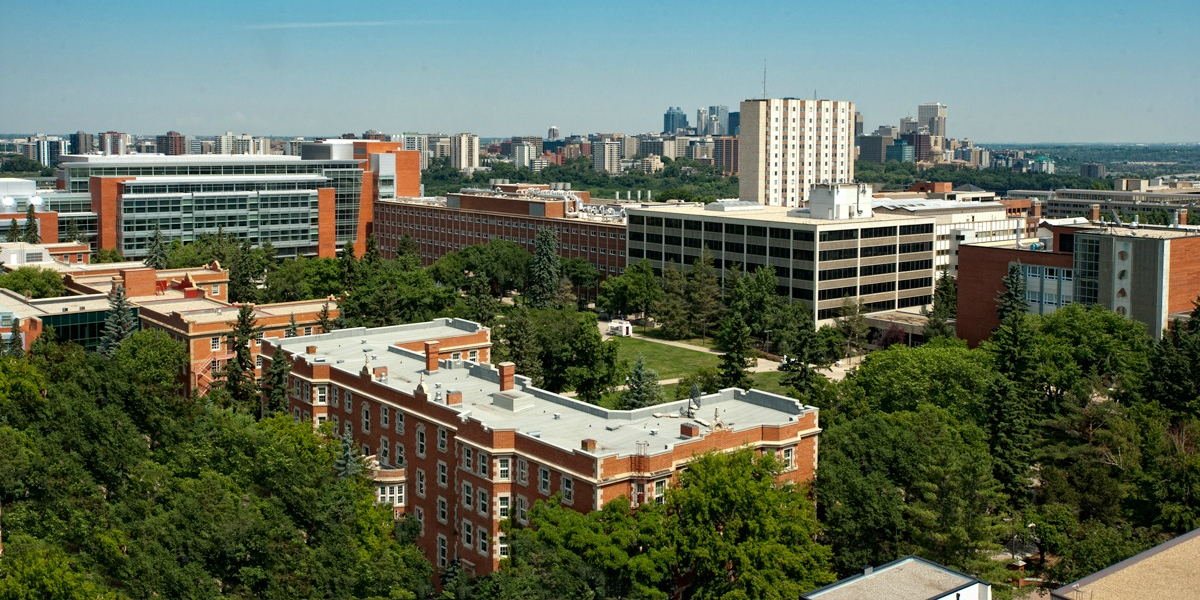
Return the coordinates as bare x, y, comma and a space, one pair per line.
508, 212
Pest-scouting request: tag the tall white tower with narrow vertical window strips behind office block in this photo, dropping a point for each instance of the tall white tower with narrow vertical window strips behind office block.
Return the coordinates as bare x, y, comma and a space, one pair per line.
788, 146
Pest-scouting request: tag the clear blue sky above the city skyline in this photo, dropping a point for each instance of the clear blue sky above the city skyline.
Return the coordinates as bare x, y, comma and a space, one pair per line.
1011, 73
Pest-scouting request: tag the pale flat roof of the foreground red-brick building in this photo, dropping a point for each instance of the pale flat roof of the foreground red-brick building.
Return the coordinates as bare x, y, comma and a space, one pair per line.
551, 418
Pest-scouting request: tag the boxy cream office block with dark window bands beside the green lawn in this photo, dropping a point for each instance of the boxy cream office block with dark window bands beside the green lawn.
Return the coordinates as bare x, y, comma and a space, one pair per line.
835, 249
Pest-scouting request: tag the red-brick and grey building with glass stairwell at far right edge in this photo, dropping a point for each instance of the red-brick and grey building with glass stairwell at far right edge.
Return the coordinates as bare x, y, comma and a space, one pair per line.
1147, 273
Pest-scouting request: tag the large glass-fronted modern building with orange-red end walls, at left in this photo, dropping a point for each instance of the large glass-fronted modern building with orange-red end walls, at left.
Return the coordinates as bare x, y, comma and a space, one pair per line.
304, 206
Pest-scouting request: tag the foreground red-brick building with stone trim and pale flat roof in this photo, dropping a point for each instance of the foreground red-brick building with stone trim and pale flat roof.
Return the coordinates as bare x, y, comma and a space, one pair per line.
463, 446
